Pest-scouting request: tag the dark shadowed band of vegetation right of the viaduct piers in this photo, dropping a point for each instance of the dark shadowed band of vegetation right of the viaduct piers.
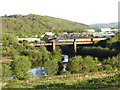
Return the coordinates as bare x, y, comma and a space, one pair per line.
99, 52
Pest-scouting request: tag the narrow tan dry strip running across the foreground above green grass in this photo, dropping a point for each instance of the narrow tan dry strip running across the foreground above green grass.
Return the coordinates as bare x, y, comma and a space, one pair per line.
81, 76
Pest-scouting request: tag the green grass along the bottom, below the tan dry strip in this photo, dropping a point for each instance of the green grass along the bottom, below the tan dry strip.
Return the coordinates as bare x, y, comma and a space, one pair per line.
73, 83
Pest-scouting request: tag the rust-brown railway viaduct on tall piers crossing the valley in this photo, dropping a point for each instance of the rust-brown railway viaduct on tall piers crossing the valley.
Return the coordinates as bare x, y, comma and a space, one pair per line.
73, 42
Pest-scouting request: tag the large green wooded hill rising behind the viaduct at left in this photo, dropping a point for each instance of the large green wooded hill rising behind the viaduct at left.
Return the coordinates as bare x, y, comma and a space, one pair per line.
35, 24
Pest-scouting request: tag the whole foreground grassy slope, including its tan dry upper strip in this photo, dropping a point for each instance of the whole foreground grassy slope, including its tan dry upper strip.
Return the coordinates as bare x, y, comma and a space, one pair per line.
89, 81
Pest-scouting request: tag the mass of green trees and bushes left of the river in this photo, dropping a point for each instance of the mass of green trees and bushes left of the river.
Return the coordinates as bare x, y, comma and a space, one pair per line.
26, 57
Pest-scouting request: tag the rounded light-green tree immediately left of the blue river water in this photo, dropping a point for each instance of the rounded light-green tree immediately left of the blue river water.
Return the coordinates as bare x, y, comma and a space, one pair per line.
20, 67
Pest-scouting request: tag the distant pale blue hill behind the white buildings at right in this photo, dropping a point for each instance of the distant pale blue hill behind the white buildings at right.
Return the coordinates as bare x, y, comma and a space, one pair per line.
110, 25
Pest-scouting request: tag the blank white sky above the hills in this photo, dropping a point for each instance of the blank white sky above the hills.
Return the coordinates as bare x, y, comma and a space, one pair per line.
82, 11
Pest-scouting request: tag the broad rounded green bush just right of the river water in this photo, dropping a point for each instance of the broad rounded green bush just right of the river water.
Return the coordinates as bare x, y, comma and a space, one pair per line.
79, 64
